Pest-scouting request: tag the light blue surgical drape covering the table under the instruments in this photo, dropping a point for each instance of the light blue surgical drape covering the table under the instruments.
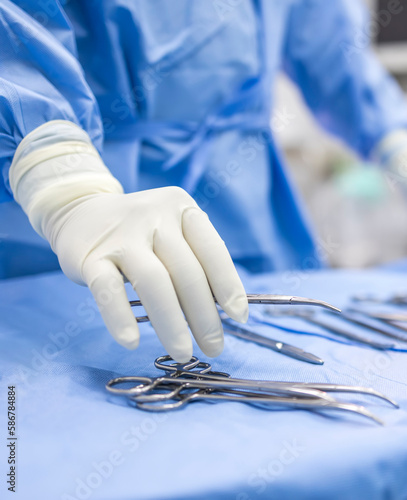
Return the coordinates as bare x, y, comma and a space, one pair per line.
75, 441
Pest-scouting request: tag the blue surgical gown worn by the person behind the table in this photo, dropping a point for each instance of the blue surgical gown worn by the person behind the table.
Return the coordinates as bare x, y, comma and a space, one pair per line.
178, 92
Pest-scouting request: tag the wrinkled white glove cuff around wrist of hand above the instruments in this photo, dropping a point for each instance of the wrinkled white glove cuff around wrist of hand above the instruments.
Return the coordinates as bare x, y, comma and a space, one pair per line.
53, 166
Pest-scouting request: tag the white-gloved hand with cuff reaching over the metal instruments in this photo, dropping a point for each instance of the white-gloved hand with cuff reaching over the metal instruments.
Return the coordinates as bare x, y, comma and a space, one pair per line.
159, 239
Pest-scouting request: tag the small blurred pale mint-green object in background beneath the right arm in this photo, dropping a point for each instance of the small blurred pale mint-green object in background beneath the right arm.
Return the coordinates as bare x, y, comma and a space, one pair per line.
362, 181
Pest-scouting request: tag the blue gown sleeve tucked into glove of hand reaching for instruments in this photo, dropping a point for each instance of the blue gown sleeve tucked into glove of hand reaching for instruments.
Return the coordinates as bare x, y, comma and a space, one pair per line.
40, 78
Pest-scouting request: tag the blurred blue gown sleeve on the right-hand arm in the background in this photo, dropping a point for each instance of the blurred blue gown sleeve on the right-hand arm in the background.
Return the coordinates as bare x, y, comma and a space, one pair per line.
327, 54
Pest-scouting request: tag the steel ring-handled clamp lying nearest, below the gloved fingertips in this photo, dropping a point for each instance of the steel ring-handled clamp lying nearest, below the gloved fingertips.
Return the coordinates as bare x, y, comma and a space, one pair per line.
184, 383
